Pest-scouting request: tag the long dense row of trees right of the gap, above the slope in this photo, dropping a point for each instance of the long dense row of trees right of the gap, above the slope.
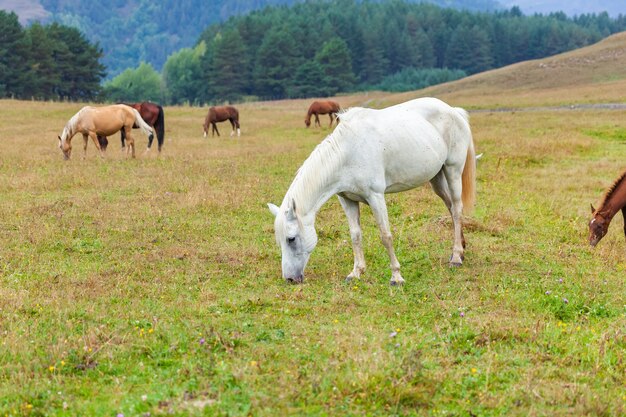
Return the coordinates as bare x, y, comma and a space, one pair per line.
309, 50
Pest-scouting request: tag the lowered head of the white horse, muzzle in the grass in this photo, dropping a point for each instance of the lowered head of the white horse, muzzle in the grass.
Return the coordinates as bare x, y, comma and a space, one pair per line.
296, 237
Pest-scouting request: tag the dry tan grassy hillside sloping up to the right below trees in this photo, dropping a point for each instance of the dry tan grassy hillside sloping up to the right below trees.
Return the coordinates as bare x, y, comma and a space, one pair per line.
593, 74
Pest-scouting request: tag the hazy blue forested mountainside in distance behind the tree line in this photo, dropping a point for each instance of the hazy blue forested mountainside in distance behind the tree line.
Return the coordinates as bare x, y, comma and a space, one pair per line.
132, 31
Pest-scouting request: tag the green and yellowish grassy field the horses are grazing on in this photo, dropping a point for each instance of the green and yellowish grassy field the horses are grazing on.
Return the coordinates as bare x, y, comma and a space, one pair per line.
152, 286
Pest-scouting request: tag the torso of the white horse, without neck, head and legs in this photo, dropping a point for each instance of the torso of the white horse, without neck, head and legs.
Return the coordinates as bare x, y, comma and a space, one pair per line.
409, 142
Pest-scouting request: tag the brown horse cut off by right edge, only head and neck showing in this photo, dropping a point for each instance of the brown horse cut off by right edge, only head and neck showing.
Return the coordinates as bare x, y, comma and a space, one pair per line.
614, 200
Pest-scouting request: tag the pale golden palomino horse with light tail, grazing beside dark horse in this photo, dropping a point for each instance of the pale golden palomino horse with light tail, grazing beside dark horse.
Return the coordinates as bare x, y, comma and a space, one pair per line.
102, 121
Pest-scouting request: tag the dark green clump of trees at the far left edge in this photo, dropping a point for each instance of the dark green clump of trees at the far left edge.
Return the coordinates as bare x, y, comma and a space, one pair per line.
47, 62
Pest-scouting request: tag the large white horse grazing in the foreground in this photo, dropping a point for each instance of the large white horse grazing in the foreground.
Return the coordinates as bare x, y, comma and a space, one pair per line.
370, 153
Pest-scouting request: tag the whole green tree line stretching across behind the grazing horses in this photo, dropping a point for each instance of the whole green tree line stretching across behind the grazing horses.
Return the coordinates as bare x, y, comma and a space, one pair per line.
308, 49
